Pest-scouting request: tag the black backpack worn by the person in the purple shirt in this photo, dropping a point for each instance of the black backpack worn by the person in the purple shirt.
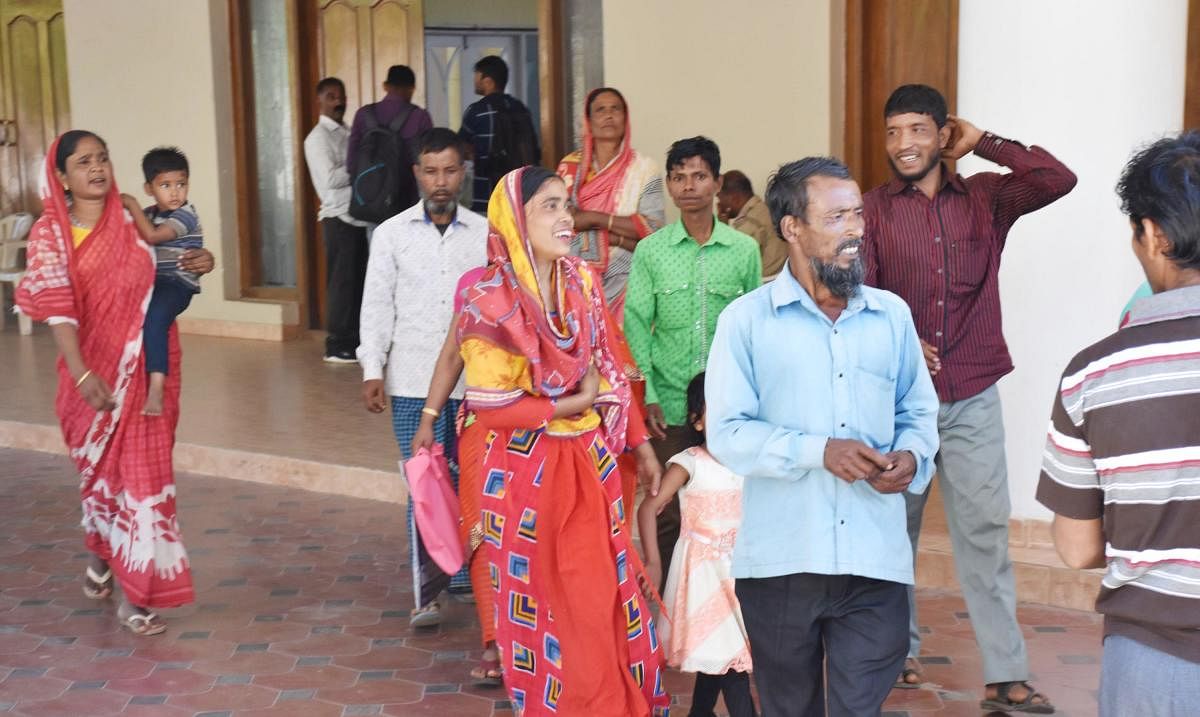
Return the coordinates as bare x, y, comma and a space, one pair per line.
385, 185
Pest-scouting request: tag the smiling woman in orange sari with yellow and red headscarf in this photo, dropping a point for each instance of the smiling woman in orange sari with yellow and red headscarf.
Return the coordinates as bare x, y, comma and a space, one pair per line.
574, 630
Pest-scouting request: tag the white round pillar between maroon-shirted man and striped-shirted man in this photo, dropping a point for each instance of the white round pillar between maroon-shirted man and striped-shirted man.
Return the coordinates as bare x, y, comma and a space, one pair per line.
1089, 81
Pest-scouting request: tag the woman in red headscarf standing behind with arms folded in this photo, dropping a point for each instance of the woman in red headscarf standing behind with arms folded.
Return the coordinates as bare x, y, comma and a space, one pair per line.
617, 194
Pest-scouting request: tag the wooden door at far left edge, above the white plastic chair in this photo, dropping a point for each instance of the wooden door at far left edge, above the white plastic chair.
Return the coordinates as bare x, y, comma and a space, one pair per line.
34, 103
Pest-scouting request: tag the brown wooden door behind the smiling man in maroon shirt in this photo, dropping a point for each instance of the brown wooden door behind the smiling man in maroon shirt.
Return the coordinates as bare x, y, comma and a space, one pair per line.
891, 44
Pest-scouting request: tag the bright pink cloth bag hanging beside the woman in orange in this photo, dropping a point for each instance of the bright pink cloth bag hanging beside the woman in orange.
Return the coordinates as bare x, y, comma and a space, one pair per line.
436, 508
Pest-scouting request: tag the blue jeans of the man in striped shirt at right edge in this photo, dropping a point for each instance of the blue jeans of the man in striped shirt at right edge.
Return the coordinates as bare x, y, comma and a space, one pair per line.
1141, 682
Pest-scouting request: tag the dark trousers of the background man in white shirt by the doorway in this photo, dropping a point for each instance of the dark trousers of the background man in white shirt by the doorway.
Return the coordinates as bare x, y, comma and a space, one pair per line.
346, 269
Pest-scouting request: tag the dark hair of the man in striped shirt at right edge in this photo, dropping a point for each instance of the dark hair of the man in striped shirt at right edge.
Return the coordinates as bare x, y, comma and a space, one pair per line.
1162, 184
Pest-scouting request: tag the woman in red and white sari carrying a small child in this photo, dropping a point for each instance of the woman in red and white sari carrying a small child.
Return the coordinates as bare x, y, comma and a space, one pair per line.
91, 278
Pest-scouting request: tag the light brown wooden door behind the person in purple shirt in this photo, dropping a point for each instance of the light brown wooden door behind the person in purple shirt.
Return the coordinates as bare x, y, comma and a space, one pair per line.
358, 41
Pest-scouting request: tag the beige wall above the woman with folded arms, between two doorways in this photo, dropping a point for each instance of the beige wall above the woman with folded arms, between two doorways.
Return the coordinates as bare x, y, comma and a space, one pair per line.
755, 79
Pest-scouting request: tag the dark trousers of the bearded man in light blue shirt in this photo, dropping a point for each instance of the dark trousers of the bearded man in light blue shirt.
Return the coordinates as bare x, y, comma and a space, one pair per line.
853, 630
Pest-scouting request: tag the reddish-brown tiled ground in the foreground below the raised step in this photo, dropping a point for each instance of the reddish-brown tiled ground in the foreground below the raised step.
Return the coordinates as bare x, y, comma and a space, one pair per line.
302, 610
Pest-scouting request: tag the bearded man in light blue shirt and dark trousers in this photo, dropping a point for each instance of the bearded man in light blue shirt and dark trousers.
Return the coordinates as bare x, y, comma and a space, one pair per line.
819, 395
